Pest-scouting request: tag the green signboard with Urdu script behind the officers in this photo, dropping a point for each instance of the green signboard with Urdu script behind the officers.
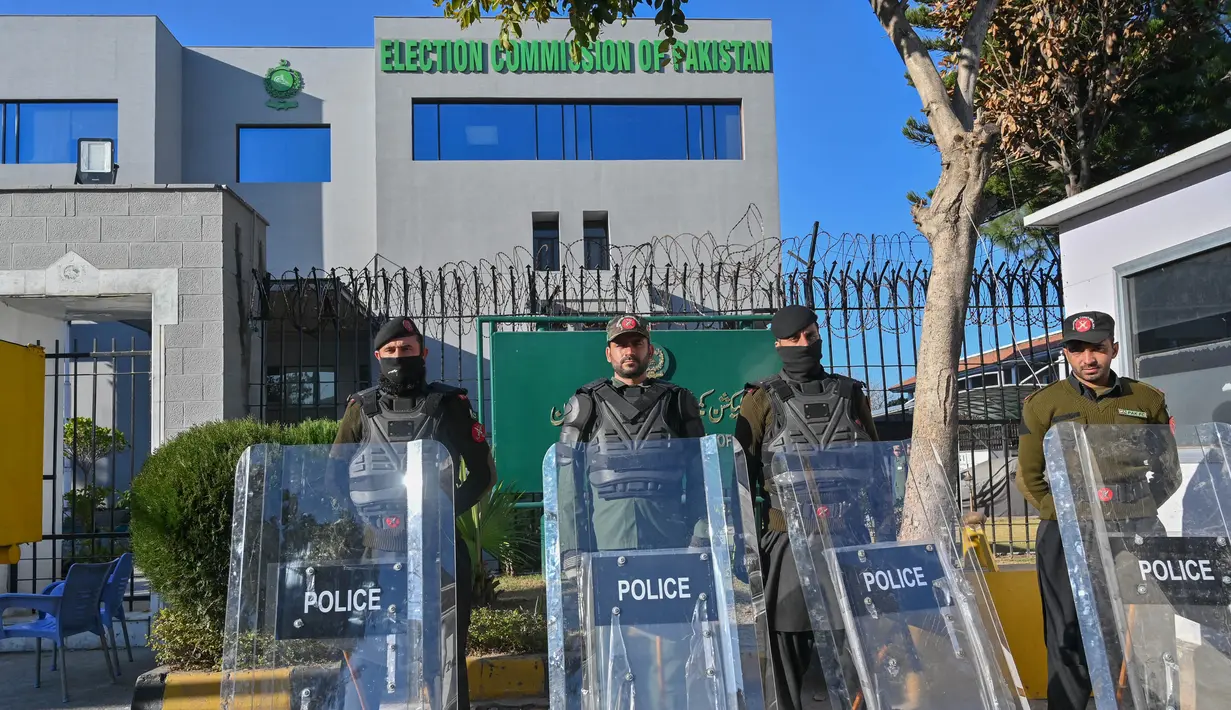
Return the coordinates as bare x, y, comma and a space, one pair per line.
534, 375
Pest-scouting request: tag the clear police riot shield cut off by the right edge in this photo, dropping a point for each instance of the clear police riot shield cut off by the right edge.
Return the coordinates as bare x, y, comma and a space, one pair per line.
1144, 519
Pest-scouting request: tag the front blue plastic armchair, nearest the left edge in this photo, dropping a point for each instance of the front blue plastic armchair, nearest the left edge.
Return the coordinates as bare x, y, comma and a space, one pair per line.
74, 611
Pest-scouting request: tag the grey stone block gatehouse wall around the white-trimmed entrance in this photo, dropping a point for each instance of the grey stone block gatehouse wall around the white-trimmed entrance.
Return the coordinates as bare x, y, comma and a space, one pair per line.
206, 236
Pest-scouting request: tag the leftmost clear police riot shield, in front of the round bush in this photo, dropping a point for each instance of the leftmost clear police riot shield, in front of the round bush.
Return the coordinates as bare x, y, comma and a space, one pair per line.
343, 573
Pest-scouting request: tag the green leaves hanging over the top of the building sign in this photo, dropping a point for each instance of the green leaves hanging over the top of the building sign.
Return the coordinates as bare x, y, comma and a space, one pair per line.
587, 20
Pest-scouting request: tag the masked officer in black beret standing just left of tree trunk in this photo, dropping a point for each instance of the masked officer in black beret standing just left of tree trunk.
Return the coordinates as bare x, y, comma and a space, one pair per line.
775, 414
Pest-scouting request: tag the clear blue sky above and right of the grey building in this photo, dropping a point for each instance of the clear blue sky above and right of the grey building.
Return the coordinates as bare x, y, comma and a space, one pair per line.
841, 94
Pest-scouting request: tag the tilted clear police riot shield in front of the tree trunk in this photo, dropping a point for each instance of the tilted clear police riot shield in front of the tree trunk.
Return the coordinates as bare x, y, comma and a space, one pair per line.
902, 613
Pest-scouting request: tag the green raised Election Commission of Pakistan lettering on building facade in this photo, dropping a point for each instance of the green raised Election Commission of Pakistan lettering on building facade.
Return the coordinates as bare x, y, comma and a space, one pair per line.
552, 57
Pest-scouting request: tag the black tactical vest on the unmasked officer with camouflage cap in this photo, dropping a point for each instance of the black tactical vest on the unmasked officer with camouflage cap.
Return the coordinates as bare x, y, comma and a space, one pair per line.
620, 430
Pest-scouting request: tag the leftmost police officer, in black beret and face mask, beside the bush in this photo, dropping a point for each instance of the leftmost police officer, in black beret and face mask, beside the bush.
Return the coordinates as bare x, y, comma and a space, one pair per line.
402, 408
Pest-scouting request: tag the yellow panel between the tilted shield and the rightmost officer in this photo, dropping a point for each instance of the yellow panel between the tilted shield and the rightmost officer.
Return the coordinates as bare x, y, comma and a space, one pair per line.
1016, 595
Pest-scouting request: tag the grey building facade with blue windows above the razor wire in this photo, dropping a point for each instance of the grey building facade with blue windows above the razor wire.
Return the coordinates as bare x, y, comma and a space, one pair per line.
433, 147
